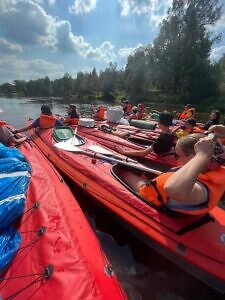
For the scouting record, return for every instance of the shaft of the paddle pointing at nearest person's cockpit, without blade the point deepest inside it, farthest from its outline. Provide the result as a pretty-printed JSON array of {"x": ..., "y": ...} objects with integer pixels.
[{"x": 117, "y": 161}]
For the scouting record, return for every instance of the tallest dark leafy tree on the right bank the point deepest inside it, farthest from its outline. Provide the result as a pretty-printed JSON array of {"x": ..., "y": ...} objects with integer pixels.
[{"x": 183, "y": 47}]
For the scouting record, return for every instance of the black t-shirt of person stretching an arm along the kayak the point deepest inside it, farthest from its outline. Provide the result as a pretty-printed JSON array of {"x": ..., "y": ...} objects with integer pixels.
[{"x": 163, "y": 144}]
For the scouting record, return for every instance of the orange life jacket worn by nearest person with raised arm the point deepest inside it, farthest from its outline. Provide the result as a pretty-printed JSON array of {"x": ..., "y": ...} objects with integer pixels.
[{"x": 214, "y": 181}]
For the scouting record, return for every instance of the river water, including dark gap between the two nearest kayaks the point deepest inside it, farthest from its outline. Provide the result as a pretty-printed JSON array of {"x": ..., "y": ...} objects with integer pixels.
[{"x": 143, "y": 273}]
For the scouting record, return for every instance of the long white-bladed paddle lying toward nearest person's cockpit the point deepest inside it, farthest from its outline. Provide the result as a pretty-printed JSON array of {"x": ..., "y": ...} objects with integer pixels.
[{"x": 71, "y": 148}]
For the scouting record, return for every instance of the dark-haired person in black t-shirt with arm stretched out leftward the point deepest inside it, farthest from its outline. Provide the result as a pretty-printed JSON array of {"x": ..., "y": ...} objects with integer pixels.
[{"x": 163, "y": 143}]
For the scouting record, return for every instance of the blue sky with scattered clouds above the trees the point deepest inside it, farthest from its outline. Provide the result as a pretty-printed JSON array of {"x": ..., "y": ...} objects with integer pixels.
[{"x": 41, "y": 38}]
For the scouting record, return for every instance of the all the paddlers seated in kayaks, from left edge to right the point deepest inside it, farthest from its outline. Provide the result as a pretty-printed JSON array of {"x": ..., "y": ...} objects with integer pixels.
[{"x": 194, "y": 186}]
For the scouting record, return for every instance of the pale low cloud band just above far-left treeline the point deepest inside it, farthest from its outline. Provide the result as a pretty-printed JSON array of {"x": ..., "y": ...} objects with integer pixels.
[{"x": 12, "y": 68}]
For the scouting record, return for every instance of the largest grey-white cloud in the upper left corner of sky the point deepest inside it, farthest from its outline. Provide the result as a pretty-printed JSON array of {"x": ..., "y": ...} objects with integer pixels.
[{"x": 28, "y": 24}]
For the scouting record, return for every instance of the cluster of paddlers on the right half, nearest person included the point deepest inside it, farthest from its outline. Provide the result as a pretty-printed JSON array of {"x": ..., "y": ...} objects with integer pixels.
[{"x": 197, "y": 185}]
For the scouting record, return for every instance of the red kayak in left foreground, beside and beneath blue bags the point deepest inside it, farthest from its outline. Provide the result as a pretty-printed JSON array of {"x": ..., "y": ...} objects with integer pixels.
[{"x": 60, "y": 256}]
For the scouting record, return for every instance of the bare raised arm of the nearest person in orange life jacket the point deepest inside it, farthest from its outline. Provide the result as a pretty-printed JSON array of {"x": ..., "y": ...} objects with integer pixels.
[{"x": 182, "y": 186}]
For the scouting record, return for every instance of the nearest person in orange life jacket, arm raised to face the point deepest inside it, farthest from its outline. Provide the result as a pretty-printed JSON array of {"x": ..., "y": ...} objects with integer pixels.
[{"x": 192, "y": 188}]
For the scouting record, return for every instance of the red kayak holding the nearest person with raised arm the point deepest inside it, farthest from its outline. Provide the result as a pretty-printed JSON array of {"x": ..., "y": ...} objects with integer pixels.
[{"x": 196, "y": 243}]
